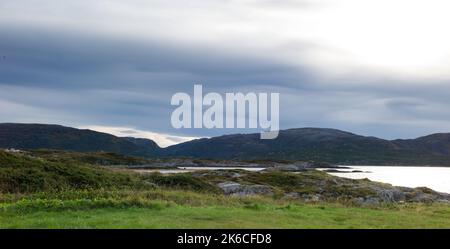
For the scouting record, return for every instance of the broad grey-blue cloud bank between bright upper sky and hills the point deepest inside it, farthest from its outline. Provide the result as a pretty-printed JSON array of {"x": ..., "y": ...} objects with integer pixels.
[{"x": 75, "y": 78}]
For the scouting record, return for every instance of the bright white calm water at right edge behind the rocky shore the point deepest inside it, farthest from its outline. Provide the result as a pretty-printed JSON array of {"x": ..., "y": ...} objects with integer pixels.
[{"x": 437, "y": 178}]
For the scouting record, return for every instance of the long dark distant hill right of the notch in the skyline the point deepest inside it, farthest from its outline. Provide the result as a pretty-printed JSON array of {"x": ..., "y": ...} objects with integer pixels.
[{"x": 317, "y": 144}]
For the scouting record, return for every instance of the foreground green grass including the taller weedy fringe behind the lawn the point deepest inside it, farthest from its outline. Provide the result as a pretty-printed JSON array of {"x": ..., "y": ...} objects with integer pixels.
[{"x": 179, "y": 209}]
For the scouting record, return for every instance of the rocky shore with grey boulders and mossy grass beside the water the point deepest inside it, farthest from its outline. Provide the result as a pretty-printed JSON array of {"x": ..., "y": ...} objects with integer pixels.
[{"x": 311, "y": 185}]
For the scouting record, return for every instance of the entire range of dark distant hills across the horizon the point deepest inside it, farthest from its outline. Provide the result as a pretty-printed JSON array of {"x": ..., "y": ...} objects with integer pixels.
[{"x": 306, "y": 144}]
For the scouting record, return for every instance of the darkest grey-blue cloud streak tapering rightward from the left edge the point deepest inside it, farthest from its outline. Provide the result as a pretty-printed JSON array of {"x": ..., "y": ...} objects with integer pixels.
[{"x": 58, "y": 58}]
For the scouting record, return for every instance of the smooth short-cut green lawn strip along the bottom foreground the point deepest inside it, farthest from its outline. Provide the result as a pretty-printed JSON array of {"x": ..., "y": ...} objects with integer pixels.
[{"x": 253, "y": 216}]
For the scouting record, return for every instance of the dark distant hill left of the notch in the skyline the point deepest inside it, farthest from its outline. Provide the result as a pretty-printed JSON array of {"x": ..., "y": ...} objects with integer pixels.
[{"x": 39, "y": 136}]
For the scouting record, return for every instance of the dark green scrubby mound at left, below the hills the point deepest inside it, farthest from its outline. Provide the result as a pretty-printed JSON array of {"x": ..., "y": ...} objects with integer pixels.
[{"x": 25, "y": 174}]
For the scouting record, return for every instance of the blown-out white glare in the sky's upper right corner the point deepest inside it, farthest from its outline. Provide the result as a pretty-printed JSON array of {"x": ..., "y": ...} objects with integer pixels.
[{"x": 407, "y": 38}]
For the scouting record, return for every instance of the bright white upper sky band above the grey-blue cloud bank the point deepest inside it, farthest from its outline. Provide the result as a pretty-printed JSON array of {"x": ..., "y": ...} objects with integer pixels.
[{"x": 396, "y": 38}]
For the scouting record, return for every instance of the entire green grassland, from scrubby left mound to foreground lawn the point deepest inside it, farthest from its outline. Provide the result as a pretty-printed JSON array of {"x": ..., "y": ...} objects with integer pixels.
[{"x": 65, "y": 193}]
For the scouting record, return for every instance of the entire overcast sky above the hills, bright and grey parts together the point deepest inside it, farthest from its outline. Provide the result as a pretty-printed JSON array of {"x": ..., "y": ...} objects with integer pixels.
[{"x": 379, "y": 68}]
